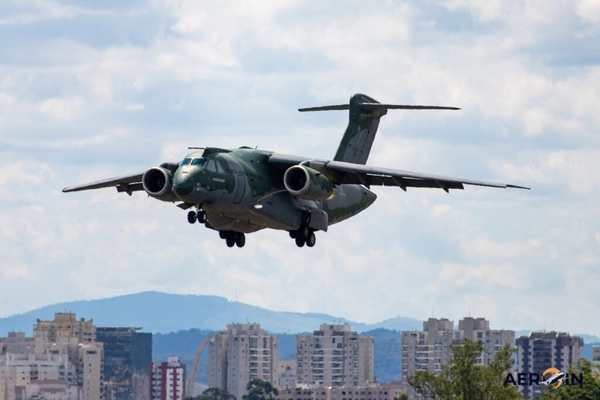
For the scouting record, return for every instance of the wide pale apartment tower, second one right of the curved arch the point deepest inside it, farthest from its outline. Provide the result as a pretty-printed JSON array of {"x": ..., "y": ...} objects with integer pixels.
[{"x": 334, "y": 356}]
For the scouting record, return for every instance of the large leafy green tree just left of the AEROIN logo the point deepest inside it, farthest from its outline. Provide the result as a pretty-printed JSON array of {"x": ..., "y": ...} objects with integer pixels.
[{"x": 463, "y": 379}]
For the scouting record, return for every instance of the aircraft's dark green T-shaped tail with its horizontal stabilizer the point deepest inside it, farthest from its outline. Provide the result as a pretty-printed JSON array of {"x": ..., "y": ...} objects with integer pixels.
[{"x": 363, "y": 122}]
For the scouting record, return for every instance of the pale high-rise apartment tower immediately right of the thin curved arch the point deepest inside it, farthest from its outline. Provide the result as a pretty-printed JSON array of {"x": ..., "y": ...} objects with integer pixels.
[{"x": 240, "y": 353}]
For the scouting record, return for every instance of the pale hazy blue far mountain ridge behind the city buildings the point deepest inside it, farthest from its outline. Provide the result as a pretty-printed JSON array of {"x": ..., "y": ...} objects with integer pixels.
[{"x": 157, "y": 312}]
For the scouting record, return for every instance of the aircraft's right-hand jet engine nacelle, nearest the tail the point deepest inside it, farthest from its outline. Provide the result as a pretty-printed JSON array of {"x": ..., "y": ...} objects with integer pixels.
[{"x": 307, "y": 183}]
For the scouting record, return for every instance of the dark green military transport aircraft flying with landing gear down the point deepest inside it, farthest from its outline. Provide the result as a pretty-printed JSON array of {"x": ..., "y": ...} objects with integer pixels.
[{"x": 243, "y": 190}]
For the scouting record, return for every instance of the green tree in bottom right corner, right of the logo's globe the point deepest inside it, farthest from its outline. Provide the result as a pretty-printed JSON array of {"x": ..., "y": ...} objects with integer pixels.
[{"x": 588, "y": 390}]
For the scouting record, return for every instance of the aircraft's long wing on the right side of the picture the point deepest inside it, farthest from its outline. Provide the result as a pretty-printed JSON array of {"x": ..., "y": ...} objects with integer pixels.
[{"x": 344, "y": 172}]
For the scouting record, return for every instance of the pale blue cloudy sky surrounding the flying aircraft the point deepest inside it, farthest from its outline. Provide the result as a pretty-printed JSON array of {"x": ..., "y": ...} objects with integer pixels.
[{"x": 92, "y": 90}]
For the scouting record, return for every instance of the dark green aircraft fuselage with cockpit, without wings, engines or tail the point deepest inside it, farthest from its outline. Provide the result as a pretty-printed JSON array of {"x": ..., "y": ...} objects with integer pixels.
[{"x": 240, "y": 191}]
